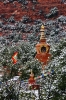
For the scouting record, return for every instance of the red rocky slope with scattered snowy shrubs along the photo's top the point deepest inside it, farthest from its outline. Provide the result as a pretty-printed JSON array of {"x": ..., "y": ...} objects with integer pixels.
[{"x": 35, "y": 9}]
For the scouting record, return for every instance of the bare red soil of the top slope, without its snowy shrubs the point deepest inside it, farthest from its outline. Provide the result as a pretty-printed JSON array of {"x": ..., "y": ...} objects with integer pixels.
[{"x": 18, "y": 11}]
